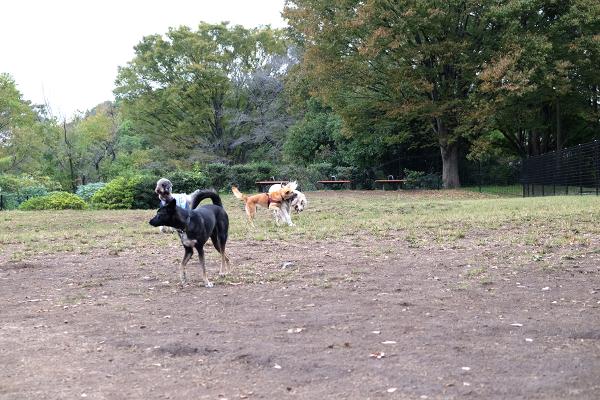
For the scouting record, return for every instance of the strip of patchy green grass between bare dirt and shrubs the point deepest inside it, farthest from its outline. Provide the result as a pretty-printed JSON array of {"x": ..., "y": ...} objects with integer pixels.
[{"x": 418, "y": 217}]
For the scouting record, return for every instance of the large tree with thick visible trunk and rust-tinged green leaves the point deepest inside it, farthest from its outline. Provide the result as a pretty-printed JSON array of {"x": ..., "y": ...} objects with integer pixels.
[{"x": 388, "y": 64}]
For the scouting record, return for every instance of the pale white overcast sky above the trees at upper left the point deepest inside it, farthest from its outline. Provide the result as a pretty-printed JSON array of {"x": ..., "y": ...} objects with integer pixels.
[{"x": 66, "y": 52}]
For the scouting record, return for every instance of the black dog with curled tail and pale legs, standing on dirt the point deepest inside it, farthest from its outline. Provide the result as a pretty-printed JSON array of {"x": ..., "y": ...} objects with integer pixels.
[{"x": 197, "y": 226}]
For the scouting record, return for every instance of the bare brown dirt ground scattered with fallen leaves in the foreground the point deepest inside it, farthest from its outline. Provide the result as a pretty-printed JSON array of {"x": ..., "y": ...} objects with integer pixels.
[{"x": 355, "y": 318}]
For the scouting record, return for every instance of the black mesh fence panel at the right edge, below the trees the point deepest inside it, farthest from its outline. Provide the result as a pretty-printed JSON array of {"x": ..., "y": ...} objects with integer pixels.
[{"x": 575, "y": 170}]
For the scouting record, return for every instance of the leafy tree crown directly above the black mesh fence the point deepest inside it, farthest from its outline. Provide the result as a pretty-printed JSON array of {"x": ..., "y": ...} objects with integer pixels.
[{"x": 540, "y": 84}]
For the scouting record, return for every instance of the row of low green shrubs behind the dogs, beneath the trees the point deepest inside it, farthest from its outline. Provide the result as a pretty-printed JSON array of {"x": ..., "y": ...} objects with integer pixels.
[{"x": 137, "y": 191}]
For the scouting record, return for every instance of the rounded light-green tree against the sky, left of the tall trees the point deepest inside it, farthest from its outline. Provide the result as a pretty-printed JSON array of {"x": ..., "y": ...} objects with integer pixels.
[{"x": 177, "y": 88}]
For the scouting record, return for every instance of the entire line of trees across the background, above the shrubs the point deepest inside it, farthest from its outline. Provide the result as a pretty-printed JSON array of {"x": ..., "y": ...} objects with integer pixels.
[{"x": 351, "y": 84}]
